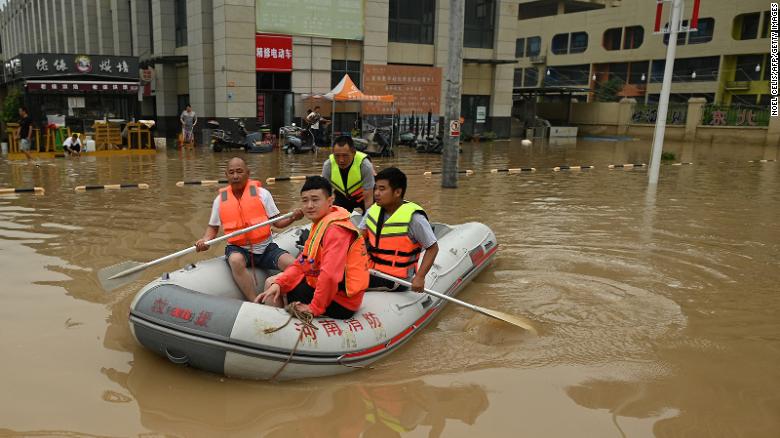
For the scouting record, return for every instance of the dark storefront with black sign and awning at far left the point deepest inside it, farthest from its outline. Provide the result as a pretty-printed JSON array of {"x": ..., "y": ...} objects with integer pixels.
[{"x": 76, "y": 89}]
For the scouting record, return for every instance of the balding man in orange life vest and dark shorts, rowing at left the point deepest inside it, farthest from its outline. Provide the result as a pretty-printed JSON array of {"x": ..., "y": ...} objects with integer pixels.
[{"x": 240, "y": 205}]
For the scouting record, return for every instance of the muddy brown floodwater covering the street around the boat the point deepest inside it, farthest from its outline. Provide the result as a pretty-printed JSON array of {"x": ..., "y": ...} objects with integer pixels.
[{"x": 657, "y": 309}]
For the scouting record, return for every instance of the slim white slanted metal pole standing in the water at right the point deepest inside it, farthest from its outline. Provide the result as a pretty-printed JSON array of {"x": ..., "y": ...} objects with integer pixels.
[{"x": 663, "y": 103}]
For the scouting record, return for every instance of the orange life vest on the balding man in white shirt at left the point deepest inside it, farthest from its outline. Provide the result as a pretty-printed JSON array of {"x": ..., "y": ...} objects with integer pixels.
[{"x": 236, "y": 214}]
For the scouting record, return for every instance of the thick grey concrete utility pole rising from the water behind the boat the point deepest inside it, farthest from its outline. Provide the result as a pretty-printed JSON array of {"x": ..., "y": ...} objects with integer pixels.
[{"x": 452, "y": 110}]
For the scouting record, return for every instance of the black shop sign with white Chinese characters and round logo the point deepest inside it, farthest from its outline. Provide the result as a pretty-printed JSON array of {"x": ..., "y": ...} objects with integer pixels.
[{"x": 59, "y": 64}]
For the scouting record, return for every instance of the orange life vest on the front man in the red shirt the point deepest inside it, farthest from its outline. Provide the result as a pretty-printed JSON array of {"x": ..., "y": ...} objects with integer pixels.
[{"x": 355, "y": 280}]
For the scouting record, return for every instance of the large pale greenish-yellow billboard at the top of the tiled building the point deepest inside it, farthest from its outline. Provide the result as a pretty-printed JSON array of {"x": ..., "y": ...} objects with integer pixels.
[{"x": 340, "y": 19}]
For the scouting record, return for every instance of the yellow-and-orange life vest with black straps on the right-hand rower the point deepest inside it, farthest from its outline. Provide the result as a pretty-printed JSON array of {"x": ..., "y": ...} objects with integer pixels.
[{"x": 391, "y": 250}]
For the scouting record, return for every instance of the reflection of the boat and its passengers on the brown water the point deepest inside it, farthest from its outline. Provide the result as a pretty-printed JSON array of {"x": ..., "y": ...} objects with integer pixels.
[{"x": 217, "y": 406}]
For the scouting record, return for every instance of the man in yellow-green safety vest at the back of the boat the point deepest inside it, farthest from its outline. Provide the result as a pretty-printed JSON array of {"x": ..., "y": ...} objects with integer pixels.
[{"x": 351, "y": 174}]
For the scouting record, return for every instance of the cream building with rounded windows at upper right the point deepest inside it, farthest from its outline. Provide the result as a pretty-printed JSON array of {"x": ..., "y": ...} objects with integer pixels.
[{"x": 585, "y": 44}]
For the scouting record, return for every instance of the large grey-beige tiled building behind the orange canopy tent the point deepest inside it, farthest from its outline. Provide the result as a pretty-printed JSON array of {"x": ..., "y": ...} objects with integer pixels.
[{"x": 205, "y": 52}]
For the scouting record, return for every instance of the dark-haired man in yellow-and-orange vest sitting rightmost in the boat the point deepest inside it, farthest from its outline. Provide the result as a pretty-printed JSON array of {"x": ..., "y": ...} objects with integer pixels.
[{"x": 397, "y": 231}]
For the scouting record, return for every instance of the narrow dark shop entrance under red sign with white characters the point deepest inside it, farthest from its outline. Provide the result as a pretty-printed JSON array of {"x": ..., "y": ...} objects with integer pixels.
[{"x": 273, "y": 61}]
